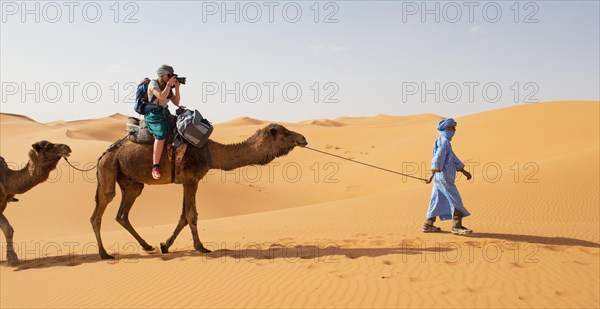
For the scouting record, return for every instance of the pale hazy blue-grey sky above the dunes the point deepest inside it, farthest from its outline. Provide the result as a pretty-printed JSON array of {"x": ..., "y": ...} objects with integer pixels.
[{"x": 298, "y": 60}]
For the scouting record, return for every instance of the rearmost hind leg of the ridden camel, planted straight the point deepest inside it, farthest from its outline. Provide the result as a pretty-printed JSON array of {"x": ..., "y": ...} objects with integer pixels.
[{"x": 105, "y": 193}]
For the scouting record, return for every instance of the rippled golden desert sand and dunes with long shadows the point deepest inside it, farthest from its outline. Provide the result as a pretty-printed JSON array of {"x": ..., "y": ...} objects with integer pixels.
[{"x": 310, "y": 230}]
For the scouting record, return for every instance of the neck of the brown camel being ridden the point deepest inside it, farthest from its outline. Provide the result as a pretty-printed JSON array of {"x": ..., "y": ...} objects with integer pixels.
[{"x": 229, "y": 157}]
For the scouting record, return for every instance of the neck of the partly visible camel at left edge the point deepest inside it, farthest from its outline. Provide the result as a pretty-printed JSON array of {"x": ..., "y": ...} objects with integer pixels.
[{"x": 26, "y": 178}]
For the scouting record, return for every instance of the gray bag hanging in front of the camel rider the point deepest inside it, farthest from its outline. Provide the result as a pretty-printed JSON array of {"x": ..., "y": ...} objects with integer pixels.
[{"x": 194, "y": 128}]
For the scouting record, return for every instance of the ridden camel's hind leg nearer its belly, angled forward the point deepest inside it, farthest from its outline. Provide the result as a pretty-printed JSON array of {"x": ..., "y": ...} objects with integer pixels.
[{"x": 130, "y": 191}]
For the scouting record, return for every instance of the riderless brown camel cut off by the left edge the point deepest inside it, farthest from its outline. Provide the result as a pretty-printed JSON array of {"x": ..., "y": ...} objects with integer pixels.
[{"x": 43, "y": 158}]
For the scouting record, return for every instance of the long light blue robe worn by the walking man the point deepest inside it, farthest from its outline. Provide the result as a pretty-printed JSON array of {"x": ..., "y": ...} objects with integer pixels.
[{"x": 444, "y": 195}]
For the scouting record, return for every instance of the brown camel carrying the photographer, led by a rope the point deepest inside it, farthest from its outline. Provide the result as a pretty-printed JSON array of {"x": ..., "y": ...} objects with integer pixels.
[{"x": 129, "y": 165}]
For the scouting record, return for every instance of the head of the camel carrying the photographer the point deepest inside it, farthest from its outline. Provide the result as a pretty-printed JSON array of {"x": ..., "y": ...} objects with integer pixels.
[{"x": 280, "y": 140}]
